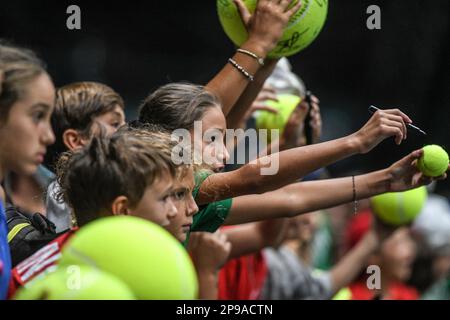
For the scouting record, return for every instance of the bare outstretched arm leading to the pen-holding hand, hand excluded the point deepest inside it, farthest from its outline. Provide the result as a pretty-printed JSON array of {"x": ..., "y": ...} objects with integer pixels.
[{"x": 261, "y": 175}]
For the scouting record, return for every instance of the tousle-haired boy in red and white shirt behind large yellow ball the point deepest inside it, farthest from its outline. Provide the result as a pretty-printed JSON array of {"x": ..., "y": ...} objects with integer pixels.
[{"x": 129, "y": 173}]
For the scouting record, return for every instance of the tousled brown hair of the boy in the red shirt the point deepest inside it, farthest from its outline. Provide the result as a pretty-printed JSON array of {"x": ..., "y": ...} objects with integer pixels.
[{"x": 124, "y": 164}]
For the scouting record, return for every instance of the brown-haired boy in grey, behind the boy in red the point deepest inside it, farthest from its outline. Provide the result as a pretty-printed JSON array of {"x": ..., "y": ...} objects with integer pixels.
[{"x": 82, "y": 110}]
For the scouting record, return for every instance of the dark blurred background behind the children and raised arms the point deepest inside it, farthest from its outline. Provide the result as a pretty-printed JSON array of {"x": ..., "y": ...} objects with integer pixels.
[{"x": 136, "y": 46}]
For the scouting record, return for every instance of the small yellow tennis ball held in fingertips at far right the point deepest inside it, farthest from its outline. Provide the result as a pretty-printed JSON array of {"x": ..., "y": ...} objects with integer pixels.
[{"x": 434, "y": 161}]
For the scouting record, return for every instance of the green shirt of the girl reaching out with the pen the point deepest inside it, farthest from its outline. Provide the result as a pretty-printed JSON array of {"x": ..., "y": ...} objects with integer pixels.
[{"x": 211, "y": 216}]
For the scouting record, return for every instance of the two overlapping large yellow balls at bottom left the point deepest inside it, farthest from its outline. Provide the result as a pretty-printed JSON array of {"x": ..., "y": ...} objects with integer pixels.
[{"x": 118, "y": 258}]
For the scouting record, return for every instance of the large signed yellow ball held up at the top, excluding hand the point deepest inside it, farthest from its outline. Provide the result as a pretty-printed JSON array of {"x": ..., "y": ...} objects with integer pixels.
[{"x": 302, "y": 29}]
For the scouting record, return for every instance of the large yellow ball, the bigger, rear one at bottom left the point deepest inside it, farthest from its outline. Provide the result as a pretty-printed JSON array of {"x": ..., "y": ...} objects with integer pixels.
[{"x": 149, "y": 260}]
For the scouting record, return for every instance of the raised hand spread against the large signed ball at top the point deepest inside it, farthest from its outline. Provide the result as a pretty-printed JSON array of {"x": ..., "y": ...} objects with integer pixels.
[{"x": 267, "y": 23}]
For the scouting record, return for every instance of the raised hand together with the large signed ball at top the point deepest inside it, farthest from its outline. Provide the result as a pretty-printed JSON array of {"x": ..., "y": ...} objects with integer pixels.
[{"x": 282, "y": 28}]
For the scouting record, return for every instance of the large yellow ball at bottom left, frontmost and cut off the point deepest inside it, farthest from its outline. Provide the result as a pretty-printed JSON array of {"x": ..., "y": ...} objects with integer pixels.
[{"x": 76, "y": 283}]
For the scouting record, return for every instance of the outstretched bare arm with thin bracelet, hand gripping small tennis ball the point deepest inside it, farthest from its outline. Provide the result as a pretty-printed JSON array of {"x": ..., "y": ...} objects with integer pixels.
[{"x": 310, "y": 196}]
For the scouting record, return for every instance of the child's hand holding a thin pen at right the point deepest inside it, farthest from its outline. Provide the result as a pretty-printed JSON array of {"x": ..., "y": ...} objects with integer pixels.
[{"x": 382, "y": 124}]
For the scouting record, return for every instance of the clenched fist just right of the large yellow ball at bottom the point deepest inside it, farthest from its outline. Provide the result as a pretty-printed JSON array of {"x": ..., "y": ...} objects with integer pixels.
[{"x": 209, "y": 251}]
